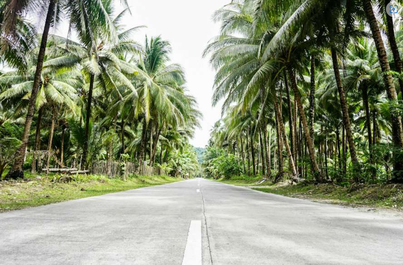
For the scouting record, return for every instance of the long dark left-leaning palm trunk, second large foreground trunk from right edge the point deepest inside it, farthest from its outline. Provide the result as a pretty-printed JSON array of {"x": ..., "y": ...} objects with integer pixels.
[{"x": 346, "y": 117}]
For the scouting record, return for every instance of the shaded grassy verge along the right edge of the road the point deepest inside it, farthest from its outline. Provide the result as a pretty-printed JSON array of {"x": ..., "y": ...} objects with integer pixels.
[{"x": 379, "y": 195}]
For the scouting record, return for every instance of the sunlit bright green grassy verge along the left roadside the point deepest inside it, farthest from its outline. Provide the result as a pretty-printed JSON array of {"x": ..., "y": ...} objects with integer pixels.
[{"x": 51, "y": 189}]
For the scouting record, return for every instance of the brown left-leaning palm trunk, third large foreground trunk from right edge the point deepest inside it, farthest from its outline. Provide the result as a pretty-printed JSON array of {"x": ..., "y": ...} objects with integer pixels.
[{"x": 315, "y": 168}]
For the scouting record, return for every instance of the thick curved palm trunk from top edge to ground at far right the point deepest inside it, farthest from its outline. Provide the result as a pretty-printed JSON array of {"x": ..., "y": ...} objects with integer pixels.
[{"x": 390, "y": 89}]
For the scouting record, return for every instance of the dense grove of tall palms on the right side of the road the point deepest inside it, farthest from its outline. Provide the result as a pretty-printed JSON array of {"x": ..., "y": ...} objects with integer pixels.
[{"x": 311, "y": 89}]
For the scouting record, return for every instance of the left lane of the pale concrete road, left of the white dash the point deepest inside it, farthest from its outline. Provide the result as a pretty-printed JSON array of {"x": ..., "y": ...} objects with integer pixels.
[{"x": 143, "y": 226}]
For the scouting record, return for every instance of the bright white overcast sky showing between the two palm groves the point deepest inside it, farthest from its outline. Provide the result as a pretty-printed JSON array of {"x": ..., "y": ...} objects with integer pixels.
[{"x": 188, "y": 26}]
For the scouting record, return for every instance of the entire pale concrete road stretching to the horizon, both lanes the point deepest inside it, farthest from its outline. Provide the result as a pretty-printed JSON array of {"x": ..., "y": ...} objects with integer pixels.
[{"x": 151, "y": 226}]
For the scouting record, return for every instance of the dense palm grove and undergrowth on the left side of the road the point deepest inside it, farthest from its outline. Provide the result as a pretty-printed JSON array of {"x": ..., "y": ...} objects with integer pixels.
[{"x": 96, "y": 94}]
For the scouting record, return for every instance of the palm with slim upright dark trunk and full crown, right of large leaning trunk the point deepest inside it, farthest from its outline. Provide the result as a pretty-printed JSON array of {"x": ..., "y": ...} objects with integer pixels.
[{"x": 104, "y": 66}]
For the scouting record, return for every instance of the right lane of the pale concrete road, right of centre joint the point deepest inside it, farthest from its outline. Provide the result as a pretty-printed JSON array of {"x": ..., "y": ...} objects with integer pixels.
[{"x": 250, "y": 227}]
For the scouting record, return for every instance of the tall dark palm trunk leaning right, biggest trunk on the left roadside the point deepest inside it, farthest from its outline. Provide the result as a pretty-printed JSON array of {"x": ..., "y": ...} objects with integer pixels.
[{"x": 16, "y": 171}]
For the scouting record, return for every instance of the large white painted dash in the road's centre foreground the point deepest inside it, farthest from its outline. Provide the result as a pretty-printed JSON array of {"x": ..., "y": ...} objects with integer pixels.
[{"x": 193, "y": 251}]
